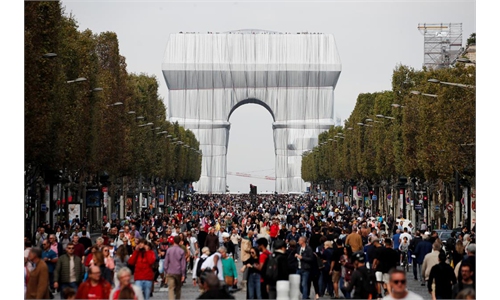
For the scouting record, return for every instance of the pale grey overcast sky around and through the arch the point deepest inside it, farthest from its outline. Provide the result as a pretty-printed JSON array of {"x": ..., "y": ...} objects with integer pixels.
[{"x": 372, "y": 38}]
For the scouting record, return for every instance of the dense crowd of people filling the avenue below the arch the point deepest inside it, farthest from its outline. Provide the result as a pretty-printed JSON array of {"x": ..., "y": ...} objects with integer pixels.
[{"x": 342, "y": 251}]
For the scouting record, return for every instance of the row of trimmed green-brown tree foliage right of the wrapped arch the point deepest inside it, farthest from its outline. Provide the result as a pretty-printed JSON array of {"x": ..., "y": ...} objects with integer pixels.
[{"x": 425, "y": 137}]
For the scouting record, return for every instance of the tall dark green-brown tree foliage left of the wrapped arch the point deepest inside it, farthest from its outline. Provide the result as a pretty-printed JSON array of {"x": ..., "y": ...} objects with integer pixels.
[{"x": 85, "y": 127}]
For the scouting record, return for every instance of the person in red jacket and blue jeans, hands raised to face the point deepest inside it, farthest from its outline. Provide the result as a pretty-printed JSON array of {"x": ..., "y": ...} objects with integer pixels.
[{"x": 143, "y": 259}]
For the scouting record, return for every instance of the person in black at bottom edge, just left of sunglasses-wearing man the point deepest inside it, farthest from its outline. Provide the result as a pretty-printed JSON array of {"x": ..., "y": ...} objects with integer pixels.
[{"x": 363, "y": 280}]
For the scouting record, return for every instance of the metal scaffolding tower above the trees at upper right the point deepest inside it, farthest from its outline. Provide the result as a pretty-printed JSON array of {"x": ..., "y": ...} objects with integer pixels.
[{"x": 442, "y": 44}]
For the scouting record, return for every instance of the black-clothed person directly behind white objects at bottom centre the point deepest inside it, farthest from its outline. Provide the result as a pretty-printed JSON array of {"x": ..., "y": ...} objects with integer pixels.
[{"x": 277, "y": 267}]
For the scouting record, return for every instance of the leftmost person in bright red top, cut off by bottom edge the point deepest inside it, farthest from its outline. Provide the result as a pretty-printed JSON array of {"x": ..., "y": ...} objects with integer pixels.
[{"x": 94, "y": 288}]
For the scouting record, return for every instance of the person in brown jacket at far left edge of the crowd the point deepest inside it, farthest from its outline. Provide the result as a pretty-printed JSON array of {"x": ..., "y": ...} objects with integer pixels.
[{"x": 38, "y": 282}]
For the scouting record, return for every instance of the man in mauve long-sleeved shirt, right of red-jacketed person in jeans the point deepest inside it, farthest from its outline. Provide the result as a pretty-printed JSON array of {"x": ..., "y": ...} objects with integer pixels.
[{"x": 175, "y": 268}]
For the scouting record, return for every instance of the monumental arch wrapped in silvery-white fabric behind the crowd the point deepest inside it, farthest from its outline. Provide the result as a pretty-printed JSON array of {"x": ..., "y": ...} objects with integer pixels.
[{"x": 293, "y": 76}]
